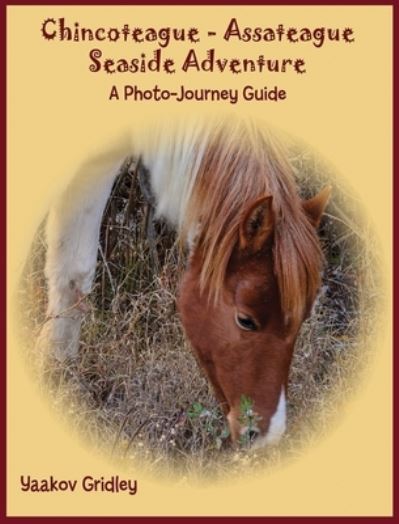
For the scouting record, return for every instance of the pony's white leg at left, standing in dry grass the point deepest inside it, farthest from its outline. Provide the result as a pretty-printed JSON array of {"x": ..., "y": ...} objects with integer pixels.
[{"x": 72, "y": 234}]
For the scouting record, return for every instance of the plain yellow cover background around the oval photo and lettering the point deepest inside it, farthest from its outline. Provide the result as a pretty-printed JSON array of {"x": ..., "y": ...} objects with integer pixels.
[{"x": 58, "y": 114}]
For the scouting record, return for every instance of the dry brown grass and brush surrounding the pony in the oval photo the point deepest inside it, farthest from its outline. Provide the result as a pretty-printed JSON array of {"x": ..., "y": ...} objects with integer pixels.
[{"x": 136, "y": 388}]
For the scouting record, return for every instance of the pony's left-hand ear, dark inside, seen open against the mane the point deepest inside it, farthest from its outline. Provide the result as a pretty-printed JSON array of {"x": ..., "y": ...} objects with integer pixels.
[{"x": 257, "y": 224}]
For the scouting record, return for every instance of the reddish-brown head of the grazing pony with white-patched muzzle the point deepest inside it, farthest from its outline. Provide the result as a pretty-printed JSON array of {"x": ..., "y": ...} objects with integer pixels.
[{"x": 244, "y": 339}]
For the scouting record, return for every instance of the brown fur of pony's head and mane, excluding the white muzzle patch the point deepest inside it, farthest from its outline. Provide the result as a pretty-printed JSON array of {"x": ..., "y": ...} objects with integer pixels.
[{"x": 257, "y": 255}]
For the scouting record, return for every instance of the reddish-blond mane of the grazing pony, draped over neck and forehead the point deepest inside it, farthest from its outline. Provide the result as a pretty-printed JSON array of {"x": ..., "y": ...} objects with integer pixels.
[{"x": 233, "y": 163}]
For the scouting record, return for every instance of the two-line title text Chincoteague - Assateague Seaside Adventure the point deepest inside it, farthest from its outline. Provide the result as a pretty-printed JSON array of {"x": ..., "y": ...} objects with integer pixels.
[{"x": 152, "y": 50}]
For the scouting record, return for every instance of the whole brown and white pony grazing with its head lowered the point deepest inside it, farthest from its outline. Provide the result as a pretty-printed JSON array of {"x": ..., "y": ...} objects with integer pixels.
[{"x": 254, "y": 262}]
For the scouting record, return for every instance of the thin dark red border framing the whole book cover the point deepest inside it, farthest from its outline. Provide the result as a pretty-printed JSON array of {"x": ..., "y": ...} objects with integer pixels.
[{"x": 3, "y": 237}]
